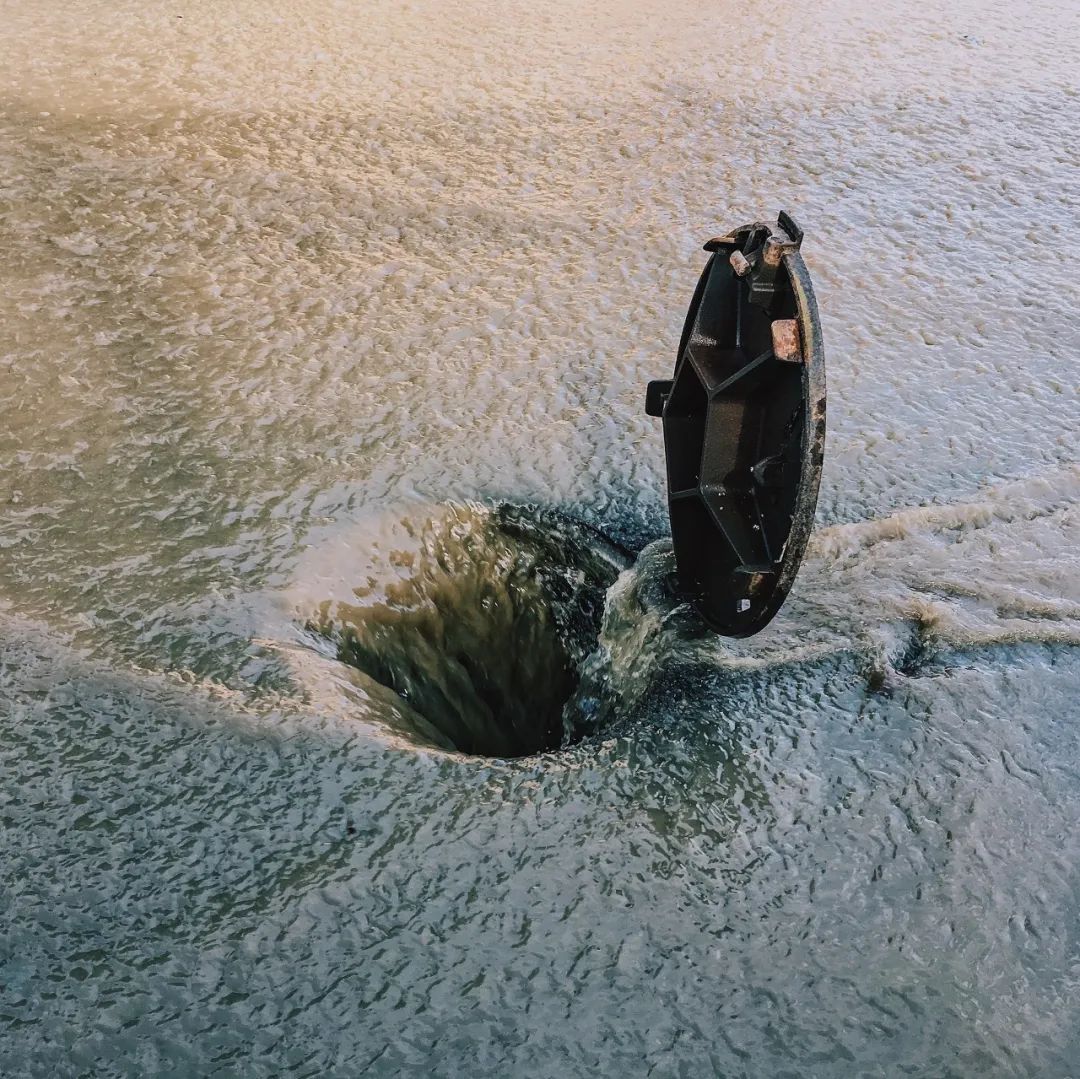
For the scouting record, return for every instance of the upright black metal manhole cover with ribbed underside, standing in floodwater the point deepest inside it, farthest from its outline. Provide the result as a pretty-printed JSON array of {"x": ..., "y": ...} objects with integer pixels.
[{"x": 745, "y": 428}]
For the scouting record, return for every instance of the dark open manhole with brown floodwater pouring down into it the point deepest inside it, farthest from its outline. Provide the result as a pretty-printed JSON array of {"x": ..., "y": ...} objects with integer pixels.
[{"x": 488, "y": 637}]
